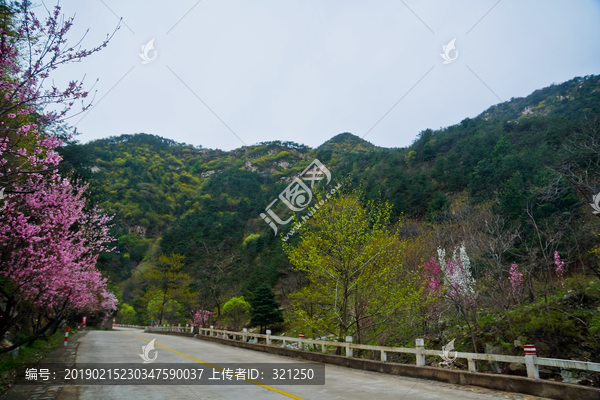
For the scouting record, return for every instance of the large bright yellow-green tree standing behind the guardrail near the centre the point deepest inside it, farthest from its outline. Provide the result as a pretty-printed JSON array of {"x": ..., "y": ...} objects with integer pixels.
[{"x": 351, "y": 255}]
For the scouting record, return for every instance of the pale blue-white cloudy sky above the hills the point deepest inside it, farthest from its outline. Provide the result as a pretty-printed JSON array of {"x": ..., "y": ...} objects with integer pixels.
[{"x": 224, "y": 74}]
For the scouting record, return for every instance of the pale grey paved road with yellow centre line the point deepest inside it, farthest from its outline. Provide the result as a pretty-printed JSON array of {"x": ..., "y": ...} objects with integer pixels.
[{"x": 124, "y": 345}]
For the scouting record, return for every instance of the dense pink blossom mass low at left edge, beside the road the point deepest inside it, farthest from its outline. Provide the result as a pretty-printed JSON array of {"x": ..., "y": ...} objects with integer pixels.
[{"x": 49, "y": 245}]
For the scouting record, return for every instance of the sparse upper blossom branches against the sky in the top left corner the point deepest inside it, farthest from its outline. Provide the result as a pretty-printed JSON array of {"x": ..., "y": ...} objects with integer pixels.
[{"x": 29, "y": 51}]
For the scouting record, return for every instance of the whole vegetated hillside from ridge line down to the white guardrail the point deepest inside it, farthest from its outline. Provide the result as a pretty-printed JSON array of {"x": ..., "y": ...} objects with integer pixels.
[{"x": 509, "y": 189}]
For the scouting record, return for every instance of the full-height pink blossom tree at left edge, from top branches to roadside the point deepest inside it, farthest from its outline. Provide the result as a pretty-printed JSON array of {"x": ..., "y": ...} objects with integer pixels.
[{"x": 49, "y": 242}]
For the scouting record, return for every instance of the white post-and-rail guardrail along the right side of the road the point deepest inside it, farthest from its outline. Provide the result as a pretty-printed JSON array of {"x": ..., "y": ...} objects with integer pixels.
[{"x": 531, "y": 360}]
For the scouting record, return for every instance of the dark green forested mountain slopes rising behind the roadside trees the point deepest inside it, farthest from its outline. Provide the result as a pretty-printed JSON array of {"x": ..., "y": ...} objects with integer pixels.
[{"x": 205, "y": 204}]
